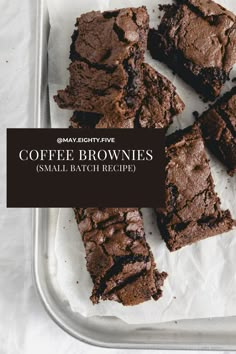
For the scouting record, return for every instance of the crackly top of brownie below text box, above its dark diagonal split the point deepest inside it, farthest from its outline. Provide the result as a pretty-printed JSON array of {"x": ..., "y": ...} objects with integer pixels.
[{"x": 109, "y": 233}]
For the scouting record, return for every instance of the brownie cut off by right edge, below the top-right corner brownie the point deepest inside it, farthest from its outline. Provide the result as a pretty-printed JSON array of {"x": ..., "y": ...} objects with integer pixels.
[{"x": 218, "y": 125}]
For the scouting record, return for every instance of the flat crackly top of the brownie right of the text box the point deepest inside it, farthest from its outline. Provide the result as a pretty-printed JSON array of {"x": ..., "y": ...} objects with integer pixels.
[{"x": 190, "y": 185}]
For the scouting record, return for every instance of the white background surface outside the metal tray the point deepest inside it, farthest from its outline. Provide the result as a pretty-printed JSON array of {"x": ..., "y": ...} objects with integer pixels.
[{"x": 24, "y": 326}]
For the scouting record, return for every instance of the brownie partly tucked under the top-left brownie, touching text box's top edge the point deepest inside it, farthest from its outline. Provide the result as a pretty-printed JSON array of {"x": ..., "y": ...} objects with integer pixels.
[{"x": 157, "y": 109}]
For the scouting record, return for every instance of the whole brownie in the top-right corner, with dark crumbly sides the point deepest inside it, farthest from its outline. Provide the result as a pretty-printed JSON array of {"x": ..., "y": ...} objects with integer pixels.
[{"x": 197, "y": 39}]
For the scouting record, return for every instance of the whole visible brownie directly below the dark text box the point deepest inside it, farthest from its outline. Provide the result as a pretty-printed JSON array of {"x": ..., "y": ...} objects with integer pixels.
[{"x": 118, "y": 257}]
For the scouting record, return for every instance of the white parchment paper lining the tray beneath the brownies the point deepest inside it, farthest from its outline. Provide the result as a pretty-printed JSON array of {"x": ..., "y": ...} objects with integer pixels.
[{"x": 202, "y": 277}]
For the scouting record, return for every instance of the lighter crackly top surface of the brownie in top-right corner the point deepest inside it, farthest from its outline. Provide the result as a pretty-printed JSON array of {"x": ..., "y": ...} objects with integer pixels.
[{"x": 203, "y": 31}]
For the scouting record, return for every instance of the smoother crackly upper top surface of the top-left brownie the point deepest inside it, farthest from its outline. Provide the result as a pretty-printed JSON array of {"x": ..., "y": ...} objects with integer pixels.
[{"x": 107, "y": 38}]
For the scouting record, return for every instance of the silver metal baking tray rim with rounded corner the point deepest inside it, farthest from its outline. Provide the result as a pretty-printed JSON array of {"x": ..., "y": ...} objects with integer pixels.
[{"x": 209, "y": 334}]
